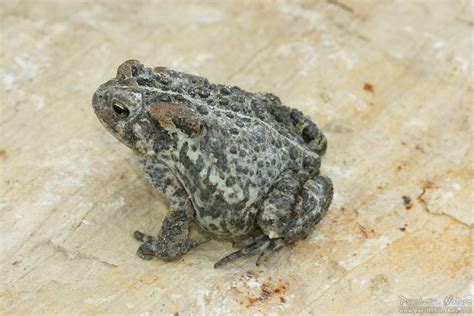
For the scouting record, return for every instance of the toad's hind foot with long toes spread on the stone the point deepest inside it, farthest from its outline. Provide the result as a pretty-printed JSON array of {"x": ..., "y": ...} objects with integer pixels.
[{"x": 261, "y": 245}]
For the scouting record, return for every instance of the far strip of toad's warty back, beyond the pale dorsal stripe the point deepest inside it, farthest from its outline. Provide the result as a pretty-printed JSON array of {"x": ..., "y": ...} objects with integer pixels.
[{"x": 290, "y": 123}]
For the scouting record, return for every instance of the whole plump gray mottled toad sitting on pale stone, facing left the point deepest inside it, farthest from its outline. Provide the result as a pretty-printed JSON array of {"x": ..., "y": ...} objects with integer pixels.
[{"x": 241, "y": 165}]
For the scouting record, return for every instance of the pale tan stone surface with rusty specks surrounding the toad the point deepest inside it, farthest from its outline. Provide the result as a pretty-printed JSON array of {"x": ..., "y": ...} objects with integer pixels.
[{"x": 390, "y": 83}]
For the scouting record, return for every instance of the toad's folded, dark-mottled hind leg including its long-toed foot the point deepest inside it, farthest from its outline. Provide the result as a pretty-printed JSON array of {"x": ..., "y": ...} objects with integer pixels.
[{"x": 295, "y": 204}]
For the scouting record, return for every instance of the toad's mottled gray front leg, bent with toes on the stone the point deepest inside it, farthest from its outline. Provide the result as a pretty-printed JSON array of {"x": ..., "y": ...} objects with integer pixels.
[{"x": 173, "y": 239}]
